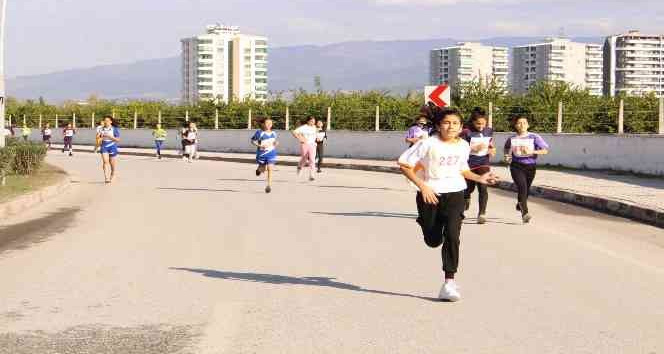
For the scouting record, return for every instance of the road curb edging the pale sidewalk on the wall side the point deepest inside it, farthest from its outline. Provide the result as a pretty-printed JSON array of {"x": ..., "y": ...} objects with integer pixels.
[{"x": 608, "y": 206}]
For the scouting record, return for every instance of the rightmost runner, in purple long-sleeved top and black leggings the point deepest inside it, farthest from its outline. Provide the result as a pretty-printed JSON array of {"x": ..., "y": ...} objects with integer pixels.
[{"x": 521, "y": 151}]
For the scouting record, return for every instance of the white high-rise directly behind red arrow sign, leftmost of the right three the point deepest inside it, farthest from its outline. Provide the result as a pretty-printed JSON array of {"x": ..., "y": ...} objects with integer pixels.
[{"x": 468, "y": 62}]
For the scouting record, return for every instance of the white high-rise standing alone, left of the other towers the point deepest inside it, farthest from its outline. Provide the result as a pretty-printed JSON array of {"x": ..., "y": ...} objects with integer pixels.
[{"x": 224, "y": 65}]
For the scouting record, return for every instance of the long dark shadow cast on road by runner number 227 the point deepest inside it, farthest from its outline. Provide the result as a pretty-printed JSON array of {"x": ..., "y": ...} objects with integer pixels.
[{"x": 288, "y": 280}]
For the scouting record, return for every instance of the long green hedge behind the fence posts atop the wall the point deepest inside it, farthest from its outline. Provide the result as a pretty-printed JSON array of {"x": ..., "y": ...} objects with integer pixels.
[{"x": 582, "y": 112}]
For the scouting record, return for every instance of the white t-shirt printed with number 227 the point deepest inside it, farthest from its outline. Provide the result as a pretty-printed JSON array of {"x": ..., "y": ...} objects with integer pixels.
[{"x": 442, "y": 163}]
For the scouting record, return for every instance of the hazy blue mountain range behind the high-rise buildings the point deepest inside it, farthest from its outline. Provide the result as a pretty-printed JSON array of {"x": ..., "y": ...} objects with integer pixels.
[{"x": 397, "y": 66}]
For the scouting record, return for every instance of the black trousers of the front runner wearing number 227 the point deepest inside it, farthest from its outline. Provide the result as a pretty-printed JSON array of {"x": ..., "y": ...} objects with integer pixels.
[{"x": 441, "y": 224}]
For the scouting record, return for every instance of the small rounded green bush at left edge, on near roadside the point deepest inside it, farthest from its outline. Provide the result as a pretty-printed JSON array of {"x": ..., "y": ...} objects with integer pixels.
[{"x": 21, "y": 158}]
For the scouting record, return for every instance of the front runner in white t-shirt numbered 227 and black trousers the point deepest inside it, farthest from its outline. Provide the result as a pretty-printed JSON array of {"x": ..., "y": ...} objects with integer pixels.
[{"x": 440, "y": 201}]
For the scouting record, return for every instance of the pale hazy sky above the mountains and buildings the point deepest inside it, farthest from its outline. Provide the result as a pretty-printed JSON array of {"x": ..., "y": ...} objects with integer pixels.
[{"x": 45, "y": 36}]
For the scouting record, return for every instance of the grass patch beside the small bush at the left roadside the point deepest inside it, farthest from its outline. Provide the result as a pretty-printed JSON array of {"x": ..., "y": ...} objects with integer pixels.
[{"x": 17, "y": 185}]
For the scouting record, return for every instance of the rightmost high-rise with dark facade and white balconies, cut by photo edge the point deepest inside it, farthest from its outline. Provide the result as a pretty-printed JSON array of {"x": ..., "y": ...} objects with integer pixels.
[{"x": 634, "y": 64}]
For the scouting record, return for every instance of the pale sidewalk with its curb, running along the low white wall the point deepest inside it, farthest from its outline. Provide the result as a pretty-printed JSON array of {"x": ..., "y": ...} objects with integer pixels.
[{"x": 621, "y": 194}]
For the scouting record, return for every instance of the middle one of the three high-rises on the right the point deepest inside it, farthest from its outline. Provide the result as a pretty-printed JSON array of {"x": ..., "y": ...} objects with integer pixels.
[{"x": 557, "y": 59}]
